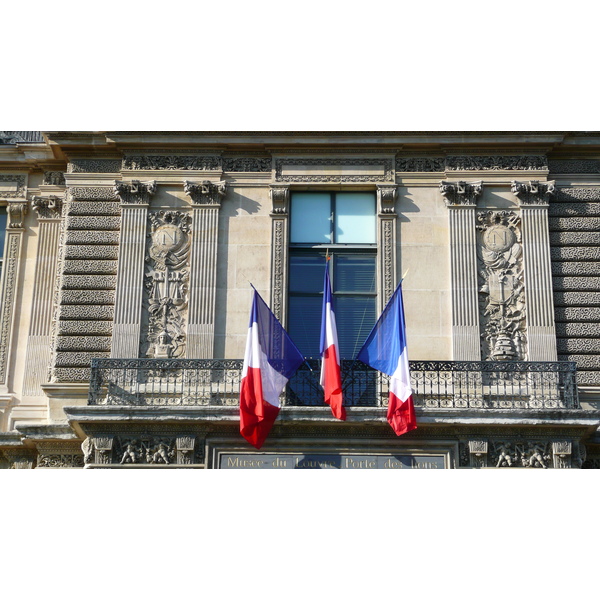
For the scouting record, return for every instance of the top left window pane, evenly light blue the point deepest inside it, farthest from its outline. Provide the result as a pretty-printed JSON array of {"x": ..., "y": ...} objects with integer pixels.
[{"x": 310, "y": 219}]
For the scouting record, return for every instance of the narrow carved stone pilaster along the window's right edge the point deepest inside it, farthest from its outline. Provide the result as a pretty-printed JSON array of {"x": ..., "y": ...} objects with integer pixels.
[{"x": 386, "y": 225}]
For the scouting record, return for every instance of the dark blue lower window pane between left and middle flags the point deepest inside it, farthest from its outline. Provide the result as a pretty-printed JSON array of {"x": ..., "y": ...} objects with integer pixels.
[{"x": 304, "y": 323}]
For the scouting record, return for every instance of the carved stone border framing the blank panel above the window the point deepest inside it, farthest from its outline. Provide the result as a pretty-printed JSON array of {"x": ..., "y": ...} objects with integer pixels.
[{"x": 385, "y": 163}]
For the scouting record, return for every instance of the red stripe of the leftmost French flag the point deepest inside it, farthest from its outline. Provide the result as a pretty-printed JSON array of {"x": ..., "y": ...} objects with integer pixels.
[{"x": 256, "y": 415}]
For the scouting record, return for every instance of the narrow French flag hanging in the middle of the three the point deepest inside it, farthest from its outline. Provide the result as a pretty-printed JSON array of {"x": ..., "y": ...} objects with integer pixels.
[{"x": 331, "y": 379}]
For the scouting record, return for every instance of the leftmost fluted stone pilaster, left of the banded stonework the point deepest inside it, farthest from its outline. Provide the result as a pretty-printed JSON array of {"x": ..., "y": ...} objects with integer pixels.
[{"x": 39, "y": 352}]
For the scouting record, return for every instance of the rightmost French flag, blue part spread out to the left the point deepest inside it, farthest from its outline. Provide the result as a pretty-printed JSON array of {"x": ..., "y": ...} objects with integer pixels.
[{"x": 385, "y": 350}]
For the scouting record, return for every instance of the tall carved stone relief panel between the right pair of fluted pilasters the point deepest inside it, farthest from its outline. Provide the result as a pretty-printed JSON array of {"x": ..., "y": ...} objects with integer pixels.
[{"x": 502, "y": 292}]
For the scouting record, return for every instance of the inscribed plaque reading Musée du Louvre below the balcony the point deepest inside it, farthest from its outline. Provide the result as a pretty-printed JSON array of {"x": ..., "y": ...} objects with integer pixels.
[{"x": 282, "y": 460}]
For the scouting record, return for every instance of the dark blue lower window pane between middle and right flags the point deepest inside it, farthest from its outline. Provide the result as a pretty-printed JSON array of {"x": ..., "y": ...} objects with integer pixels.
[{"x": 355, "y": 317}]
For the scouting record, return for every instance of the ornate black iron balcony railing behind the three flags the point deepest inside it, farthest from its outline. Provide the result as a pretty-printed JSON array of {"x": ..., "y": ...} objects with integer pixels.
[{"x": 435, "y": 384}]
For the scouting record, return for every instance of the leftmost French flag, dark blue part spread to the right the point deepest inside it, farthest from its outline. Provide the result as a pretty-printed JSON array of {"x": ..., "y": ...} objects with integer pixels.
[{"x": 270, "y": 360}]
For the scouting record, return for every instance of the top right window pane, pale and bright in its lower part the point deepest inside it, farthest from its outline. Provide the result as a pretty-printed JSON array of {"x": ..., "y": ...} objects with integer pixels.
[{"x": 355, "y": 219}]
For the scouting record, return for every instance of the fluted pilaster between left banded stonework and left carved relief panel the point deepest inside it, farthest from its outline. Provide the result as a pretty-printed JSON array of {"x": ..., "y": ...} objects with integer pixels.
[{"x": 135, "y": 198}]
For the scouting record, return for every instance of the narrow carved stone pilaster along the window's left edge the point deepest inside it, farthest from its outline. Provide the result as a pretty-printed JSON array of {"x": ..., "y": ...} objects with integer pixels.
[{"x": 280, "y": 238}]
